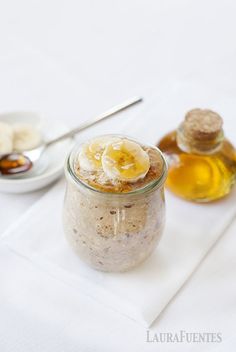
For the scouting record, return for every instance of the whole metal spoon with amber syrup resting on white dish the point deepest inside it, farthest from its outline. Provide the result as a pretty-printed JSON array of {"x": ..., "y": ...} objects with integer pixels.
[{"x": 21, "y": 163}]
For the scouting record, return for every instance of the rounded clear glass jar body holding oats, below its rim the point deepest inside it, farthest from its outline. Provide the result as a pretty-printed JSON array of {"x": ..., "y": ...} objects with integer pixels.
[{"x": 113, "y": 231}]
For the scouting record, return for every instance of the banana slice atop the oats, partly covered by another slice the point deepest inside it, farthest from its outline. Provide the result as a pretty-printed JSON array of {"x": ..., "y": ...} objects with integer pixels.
[{"x": 91, "y": 153}]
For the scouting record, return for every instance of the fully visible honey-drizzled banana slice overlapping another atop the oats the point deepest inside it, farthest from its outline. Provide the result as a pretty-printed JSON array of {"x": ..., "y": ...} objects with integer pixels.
[{"x": 125, "y": 160}]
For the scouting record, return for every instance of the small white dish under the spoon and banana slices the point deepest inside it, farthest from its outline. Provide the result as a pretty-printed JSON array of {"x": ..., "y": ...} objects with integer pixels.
[{"x": 50, "y": 166}]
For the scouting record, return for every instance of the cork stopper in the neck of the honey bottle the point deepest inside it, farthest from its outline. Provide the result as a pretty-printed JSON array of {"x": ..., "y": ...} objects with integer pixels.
[{"x": 202, "y": 125}]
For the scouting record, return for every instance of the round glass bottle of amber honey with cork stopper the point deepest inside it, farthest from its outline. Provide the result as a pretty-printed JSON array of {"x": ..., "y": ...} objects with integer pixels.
[{"x": 202, "y": 162}]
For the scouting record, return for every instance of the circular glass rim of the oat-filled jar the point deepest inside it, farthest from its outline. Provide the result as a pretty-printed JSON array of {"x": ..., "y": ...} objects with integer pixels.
[{"x": 156, "y": 183}]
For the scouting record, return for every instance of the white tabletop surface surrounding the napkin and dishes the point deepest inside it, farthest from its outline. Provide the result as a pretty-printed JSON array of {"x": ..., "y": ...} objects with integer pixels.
[{"x": 105, "y": 52}]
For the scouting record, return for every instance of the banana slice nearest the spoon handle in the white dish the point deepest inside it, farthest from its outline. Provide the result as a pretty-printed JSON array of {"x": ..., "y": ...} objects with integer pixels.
[{"x": 25, "y": 137}]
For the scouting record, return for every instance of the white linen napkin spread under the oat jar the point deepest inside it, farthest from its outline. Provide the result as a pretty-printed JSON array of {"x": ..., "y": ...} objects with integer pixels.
[{"x": 140, "y": 294}]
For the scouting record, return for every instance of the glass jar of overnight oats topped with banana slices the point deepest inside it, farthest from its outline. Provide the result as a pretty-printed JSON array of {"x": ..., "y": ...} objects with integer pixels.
[{"x": 114, "y": 208}]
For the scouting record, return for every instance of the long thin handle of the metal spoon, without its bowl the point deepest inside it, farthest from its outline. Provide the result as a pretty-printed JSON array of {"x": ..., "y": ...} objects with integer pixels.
[{"x": 97, "y": 119}]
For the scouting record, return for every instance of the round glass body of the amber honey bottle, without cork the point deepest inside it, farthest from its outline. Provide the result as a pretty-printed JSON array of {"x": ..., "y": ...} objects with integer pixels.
[{"x": 199, "y": 176}]
